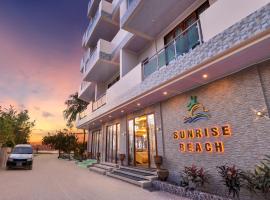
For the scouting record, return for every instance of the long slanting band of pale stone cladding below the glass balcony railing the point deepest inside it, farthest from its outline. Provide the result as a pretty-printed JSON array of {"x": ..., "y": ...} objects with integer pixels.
[{"x": 248, "y": 27}]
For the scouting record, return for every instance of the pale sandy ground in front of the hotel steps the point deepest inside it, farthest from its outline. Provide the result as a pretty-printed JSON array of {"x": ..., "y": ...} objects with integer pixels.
[{"x": 53, "y": 179}]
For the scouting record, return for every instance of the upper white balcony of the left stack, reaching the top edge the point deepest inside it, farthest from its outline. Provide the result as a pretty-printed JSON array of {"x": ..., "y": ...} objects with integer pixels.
[{"x": 102, "y": 25}]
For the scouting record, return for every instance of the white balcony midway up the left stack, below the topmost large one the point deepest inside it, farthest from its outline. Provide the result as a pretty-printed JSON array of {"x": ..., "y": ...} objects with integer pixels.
[{"x": 99, "y": 66}]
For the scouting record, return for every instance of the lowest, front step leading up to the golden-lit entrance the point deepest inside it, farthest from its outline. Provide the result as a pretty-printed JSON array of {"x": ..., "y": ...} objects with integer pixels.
[{"x": 144, "y": 183}]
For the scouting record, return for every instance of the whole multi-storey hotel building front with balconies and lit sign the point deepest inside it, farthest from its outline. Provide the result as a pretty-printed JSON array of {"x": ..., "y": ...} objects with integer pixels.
[{"x": 188, "y": 80}]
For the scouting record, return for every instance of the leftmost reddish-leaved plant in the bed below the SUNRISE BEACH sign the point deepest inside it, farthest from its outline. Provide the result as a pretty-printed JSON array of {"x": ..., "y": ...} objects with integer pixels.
[{"x": 193, "y": 178}]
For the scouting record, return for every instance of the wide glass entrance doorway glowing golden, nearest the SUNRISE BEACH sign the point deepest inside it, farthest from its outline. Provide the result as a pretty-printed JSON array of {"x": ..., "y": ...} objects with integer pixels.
[{"x": 141, "y": 141}]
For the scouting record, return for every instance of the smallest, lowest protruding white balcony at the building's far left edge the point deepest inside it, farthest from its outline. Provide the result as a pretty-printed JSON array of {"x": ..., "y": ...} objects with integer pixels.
[{"x": 86, "y": 91}]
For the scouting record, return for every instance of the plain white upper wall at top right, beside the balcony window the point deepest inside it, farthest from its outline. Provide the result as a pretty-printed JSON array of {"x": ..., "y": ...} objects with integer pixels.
[{"x": 229, "y": 13}]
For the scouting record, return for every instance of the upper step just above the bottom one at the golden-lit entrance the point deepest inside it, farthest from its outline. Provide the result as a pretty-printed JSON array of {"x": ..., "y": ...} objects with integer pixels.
[{"x": 140, "y": 174}]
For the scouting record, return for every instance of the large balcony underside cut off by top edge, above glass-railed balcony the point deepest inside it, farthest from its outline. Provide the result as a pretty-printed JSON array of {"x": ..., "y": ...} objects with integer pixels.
[{"x": 148, "y": 18}]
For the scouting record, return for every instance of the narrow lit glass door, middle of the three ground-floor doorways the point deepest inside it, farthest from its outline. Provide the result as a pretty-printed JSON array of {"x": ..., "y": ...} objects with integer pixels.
[{"x": 112, "y": 143}]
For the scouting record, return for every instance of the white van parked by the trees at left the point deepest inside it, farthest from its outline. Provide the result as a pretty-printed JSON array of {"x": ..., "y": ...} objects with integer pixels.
[{"x": 21, "y": 157}]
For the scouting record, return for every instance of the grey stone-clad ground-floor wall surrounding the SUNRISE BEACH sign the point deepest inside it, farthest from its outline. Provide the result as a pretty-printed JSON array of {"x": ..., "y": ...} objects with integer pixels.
[{"x": 232, "y": 100}]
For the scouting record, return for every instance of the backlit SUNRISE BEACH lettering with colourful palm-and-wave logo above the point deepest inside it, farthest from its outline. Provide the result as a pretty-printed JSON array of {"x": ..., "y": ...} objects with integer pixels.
[{"x": 190, "y": 140}]
